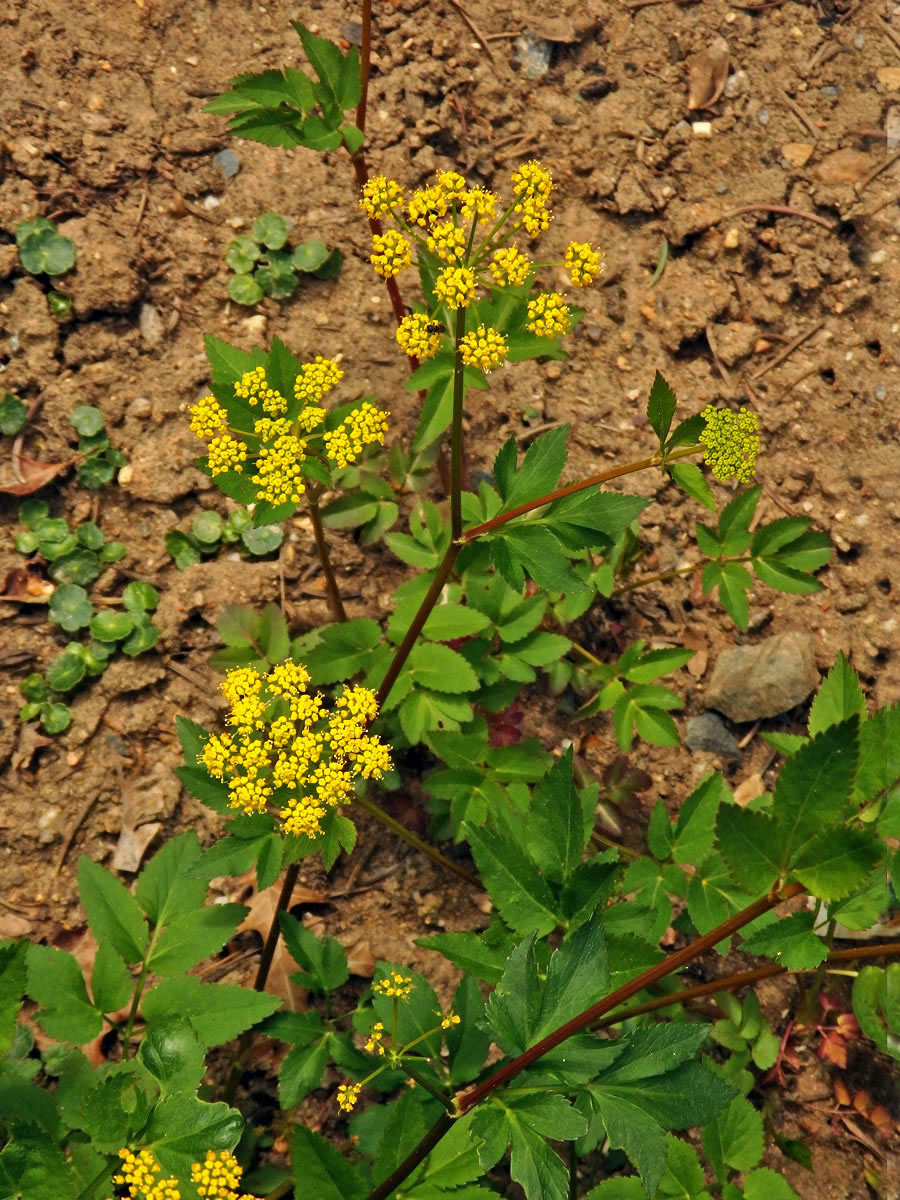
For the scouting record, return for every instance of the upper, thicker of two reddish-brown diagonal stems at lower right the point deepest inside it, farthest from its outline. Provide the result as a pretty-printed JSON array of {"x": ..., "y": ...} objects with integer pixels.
[{"x": 674, "y": 963}]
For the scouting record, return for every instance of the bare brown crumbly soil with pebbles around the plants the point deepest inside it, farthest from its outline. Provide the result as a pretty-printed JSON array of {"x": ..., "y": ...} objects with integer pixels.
[{"x": 104, "y": 130}]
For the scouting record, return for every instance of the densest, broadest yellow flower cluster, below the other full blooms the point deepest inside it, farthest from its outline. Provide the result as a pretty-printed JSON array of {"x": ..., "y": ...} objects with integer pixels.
[{"x": 285, "y": 740}]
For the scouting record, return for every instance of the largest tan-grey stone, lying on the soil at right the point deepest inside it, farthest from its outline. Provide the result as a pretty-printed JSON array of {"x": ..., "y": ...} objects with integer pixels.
[{"x": 752, "y": 682}]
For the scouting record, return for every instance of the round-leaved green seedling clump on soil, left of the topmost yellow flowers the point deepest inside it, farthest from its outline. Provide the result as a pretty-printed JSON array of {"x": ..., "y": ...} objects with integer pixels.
[{"x": 266, "y": 266}]
